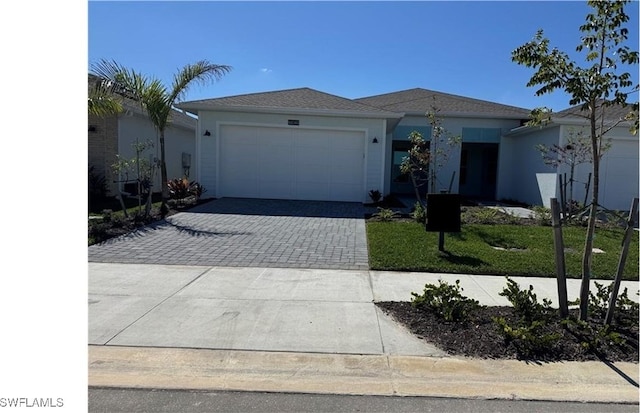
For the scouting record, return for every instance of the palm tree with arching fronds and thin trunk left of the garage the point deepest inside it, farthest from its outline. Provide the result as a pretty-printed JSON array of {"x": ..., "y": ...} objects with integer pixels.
[{"x": 154, "y": 98}]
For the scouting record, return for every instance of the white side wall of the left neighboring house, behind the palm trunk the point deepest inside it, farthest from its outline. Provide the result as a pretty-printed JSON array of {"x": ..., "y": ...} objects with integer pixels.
[{"x": 177, "y": 140}]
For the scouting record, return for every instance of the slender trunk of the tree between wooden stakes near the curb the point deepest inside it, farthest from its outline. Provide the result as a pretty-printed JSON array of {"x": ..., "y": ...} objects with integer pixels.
[{"x": 591, "y": 225}]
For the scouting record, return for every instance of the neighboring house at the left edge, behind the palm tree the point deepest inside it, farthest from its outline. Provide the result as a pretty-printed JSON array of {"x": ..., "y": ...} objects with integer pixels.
[{"x": 112, "y": 135}]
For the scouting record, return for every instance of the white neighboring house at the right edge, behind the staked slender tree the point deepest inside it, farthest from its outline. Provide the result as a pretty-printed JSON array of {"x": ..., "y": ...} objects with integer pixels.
[{"x": 619, "y": 182}]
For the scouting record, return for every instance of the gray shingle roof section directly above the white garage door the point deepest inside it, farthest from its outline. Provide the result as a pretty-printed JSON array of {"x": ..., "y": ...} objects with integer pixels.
[{"x": 302, "y": 98}]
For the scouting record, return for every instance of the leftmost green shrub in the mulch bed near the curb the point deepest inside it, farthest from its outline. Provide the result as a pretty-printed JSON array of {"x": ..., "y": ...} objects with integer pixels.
[{"x": 445, "y": 300}]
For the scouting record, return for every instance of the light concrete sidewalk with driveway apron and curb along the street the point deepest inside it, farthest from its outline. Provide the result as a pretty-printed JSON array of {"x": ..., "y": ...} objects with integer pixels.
[{"x": 271, "y": 329}]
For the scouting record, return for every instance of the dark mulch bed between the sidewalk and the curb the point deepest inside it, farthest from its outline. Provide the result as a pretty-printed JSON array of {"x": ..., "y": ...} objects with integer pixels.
[{"x": 479, "y": 338}]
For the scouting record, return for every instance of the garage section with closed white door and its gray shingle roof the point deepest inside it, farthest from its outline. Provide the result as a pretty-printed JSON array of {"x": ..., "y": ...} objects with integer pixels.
[{"x": 298, "y": 144}]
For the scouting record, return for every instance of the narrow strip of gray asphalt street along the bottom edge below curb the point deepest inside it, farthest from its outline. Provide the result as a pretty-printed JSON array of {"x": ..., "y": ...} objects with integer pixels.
[{"x": 158, "y": 401}]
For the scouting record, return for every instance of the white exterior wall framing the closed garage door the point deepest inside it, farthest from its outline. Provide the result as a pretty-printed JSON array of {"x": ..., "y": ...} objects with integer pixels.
[{"x": 207, "y": 146}]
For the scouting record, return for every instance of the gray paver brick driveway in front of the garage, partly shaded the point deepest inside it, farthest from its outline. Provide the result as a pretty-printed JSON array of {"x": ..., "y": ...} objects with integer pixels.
[{"x": 248, "y": 232}]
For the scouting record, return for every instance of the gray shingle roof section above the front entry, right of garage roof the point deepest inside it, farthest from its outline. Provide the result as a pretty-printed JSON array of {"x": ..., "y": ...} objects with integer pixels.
[{"x": 420, "y": 100}]
